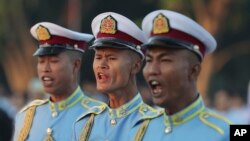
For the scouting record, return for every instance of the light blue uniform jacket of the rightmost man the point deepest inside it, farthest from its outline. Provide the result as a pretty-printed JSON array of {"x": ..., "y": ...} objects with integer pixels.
[{"x": 194, "y": 123}]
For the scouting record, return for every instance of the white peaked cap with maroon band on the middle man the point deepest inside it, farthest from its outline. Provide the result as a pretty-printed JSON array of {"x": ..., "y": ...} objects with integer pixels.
[{"x": 114, "y": 30}]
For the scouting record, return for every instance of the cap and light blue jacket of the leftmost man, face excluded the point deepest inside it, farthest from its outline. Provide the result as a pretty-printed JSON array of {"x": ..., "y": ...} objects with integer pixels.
[{"x": 44, "y": 120}]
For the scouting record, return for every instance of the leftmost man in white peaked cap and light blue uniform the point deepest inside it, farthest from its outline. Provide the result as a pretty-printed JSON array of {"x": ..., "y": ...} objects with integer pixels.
[{"x": 59, "y": 61}]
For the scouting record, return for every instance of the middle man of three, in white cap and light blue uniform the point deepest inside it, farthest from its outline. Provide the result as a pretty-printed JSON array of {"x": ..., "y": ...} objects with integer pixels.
[{"x": 117, "y": 60}]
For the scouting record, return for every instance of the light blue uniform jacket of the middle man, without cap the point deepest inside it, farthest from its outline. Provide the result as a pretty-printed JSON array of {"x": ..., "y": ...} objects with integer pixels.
[{"x": 101, "y": 123}]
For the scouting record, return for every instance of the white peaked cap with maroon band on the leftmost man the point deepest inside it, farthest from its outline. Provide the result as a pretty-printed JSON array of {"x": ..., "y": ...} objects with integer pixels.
[{"x": 53, "y": 39}]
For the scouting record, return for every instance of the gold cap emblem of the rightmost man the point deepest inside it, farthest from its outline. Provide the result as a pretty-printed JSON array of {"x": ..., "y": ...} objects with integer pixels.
[{"x": 160, "y": 24}]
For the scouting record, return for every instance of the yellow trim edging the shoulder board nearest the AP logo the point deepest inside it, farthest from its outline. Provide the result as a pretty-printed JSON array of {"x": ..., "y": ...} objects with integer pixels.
[{"x": 206, "y": 116}]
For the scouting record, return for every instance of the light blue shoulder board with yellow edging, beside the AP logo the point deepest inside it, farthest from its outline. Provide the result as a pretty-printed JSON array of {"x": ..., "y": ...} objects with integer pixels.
[{"x": 215, "y": 121}]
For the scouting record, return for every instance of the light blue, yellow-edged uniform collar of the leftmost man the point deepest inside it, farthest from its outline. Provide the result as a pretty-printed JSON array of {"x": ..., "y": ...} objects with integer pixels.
[{"x": 67, "y": 103}]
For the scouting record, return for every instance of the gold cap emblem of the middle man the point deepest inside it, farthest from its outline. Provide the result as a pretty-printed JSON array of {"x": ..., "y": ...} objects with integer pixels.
[{"x": 108, "y": 25}]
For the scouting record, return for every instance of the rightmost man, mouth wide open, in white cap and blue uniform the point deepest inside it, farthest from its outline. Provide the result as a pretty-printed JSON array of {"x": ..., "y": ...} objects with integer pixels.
[{"x": 174, "y": 53}]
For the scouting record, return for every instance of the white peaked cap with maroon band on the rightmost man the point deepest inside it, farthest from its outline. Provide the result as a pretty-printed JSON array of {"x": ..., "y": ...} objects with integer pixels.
[{"x": 176, "y": 28}]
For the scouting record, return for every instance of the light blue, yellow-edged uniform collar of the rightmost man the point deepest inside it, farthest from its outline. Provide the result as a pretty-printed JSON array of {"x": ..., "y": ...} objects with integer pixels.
[{"x": 186, "y": 114}]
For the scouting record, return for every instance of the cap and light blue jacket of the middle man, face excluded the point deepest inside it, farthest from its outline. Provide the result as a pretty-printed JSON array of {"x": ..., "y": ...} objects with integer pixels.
[{"x": 101, "y": 122}]
